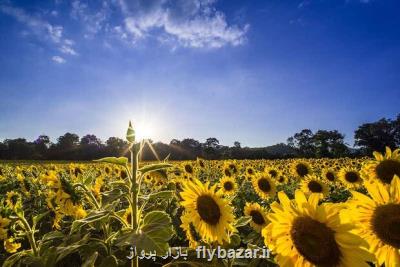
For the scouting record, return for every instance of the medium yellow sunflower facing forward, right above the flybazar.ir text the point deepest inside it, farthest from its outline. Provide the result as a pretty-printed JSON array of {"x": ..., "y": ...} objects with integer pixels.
[{"x": 210, "y": 214}]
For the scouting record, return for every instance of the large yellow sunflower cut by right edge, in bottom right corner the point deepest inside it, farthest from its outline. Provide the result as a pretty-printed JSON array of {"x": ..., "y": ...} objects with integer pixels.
[{"x": 378, "y": 220}]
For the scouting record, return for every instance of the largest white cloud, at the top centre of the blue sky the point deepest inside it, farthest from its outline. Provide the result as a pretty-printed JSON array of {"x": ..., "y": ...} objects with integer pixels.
[{"x": 190, "y": 23}]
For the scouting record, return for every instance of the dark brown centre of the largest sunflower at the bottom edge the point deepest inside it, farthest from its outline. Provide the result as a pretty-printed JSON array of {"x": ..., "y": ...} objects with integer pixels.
[{"x": 315, "y": 242}]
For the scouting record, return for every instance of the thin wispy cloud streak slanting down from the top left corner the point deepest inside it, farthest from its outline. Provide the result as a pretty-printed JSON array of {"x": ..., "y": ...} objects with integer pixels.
[{"x": 41, "y": 28}]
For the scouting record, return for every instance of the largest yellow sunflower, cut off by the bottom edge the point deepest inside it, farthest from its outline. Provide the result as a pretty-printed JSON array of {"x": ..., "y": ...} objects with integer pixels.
[{"x": 303, "y": 233}]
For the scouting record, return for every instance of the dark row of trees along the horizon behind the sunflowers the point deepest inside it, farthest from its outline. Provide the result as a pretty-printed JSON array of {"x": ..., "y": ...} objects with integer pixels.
[{"x": 369, "y": 137}]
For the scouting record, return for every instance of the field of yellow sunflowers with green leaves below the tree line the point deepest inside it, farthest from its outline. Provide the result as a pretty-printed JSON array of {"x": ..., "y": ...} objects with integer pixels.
[{"x": 121, "y": 212}]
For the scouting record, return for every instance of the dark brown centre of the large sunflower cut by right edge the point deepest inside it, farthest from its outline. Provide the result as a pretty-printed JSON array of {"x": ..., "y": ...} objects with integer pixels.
[{"x": 386, "y": 224}]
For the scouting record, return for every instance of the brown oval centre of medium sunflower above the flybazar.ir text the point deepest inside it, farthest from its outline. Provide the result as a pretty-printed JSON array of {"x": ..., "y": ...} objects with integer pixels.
[{"x": 208, "y": 210}]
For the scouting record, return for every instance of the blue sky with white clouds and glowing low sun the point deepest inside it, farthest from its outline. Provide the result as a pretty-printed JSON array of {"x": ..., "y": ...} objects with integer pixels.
[{"x": 252, "y": 71}]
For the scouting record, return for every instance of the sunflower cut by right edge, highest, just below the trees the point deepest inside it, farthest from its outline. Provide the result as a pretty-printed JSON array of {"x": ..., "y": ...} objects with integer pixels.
[{"x": 383, "y": 168}]
